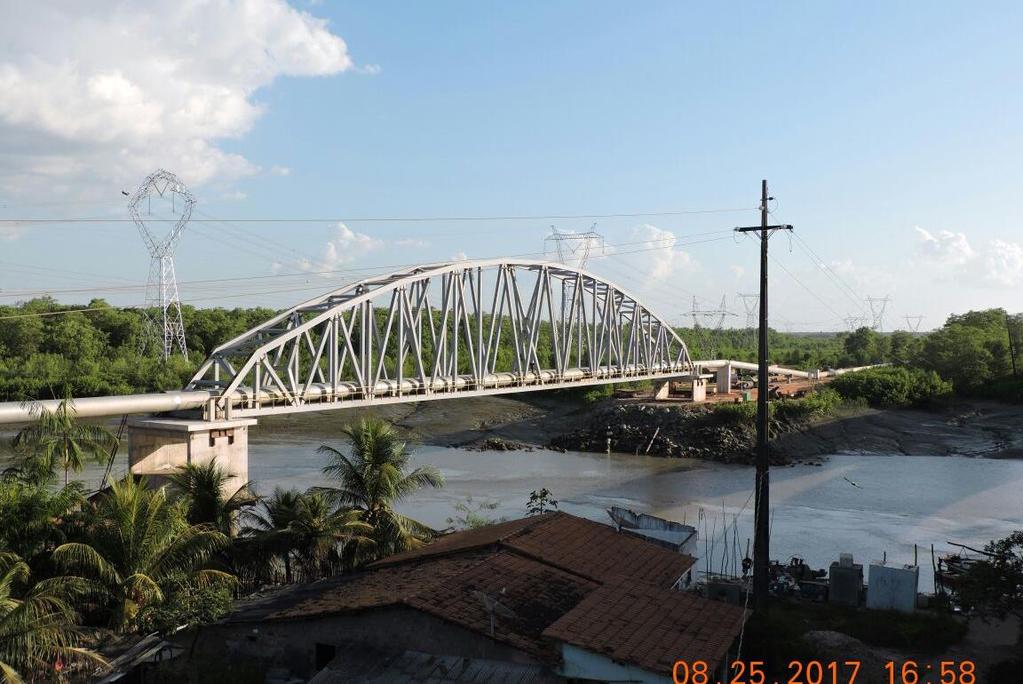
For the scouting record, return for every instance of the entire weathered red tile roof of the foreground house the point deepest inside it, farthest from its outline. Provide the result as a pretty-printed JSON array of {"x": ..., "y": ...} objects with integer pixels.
[{"x": 556, "y": 577}]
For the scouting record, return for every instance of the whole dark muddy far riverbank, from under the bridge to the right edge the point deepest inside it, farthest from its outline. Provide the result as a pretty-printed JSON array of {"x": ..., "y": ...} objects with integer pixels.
[{"x": 562, "y": 421}]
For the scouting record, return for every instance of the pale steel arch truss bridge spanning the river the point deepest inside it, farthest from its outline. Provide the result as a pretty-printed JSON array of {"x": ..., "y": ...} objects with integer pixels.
[{"x": 442, "y": 331}]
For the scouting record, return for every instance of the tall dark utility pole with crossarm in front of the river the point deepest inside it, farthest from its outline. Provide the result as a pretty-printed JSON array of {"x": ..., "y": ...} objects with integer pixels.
[{"x": 762, "y": 515}]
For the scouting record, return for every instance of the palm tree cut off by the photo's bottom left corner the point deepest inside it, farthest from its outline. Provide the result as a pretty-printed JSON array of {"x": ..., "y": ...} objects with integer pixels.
[{"x": 37, "y": 630}]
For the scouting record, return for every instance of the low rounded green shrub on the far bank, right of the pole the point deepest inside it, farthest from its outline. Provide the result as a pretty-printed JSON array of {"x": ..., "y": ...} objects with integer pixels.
[{"x": 892, "y": 387}]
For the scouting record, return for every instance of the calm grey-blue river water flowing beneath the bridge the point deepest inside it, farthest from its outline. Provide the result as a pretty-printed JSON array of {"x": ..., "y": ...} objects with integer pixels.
[{"x": 866, "y": 505}]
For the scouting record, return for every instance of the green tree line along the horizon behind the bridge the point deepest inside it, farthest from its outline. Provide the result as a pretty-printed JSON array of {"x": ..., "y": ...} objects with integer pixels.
[{"x": 49, "y": 350}]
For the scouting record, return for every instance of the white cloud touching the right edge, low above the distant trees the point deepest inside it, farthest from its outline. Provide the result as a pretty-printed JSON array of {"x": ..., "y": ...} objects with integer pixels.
[{"x": 997, "y": 264}]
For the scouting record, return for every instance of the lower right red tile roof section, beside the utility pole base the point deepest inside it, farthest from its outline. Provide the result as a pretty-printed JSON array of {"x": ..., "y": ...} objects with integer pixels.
[{"x": 650, "y": 627}]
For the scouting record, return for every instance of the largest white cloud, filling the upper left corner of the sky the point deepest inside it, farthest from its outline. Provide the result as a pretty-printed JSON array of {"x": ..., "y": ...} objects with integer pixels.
[{"x": 100, "y": 95}]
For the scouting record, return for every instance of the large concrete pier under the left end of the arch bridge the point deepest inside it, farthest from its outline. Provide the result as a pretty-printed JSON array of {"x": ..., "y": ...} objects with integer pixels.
[{"x": 157, "y": 447}]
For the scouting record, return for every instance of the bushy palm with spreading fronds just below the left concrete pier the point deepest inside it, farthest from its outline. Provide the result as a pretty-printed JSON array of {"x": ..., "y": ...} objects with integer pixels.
[{"x": 141, "y": 546}]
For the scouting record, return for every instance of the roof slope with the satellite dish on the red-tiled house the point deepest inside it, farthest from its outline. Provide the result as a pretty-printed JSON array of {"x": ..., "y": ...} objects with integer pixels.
[{"x": 530, "y": 597}]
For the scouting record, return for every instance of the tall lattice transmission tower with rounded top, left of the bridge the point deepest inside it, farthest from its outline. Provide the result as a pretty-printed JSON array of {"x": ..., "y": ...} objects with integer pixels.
[{"x": 162, "y": 288}]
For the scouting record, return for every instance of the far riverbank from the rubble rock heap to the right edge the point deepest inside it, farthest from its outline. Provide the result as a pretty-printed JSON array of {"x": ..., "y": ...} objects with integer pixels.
[{"x": 987, "y": 430}]
